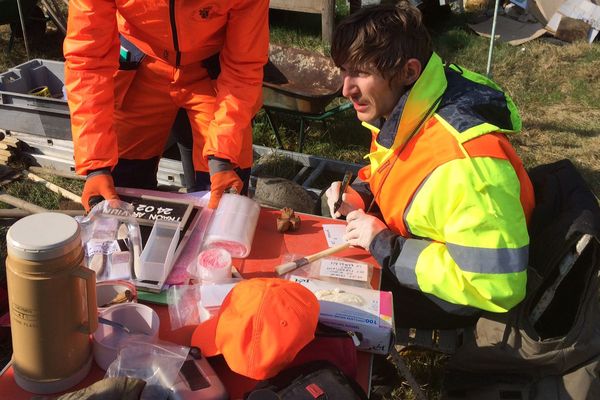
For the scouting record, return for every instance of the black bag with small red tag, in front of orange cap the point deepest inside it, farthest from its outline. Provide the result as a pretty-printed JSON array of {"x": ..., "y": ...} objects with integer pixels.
[{"x": 310, "y": 381}]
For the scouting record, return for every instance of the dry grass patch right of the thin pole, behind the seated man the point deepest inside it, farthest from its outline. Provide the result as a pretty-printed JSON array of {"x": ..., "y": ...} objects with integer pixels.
[{"x": 557, "y": 90}]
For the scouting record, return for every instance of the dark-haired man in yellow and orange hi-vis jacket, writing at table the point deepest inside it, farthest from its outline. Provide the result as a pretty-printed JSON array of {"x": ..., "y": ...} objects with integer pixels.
[{"x": 453, "y": 196}]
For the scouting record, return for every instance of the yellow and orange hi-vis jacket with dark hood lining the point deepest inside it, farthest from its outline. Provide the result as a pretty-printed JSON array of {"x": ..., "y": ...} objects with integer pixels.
[{"x": 453, "y": 192}]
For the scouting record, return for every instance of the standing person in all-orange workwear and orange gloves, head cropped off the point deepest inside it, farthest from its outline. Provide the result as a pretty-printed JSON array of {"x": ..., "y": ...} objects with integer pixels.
[{"x": 130, "y": 66}]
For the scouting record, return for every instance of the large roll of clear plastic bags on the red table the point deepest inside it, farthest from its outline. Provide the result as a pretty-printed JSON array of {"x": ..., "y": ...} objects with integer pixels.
[{"x": 233, "y": 225}]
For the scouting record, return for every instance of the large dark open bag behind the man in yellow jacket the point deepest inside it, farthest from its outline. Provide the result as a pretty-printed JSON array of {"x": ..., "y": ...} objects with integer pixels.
[{"x": 548, "y": 347}]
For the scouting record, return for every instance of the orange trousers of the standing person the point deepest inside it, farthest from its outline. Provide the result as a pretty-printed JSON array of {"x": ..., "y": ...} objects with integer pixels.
[{"x": 147, "y": 100}]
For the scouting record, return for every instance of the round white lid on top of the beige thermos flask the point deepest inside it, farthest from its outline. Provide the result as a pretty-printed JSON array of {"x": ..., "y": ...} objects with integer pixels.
[{"x": 43, "y": 236}]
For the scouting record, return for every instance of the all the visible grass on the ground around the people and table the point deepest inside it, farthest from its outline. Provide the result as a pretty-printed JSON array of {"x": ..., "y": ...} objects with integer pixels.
[{"x": 556, "y": 88}]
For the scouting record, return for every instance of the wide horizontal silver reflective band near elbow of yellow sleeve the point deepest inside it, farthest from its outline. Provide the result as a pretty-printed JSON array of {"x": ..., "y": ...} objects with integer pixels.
[{"x": 489, "y": 261}]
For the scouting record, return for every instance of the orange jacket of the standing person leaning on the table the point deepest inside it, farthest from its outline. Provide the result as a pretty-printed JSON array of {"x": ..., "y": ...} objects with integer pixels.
[{"x": 178, "y": 33}]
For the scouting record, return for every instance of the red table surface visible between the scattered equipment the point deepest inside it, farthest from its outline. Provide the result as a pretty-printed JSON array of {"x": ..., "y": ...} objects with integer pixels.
[{"x": 269, "y": 249}]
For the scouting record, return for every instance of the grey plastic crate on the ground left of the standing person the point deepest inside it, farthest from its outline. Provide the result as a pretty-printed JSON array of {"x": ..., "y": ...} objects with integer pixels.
[{"x": 24, "y": 112}]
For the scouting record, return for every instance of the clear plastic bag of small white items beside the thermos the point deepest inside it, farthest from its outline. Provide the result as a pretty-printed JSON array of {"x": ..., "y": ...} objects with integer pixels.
[{"x": 112, "y": 240}]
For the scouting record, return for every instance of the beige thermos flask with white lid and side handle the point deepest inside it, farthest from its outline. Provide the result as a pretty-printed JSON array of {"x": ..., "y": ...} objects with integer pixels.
[{"x": 52, "y": 300}]
